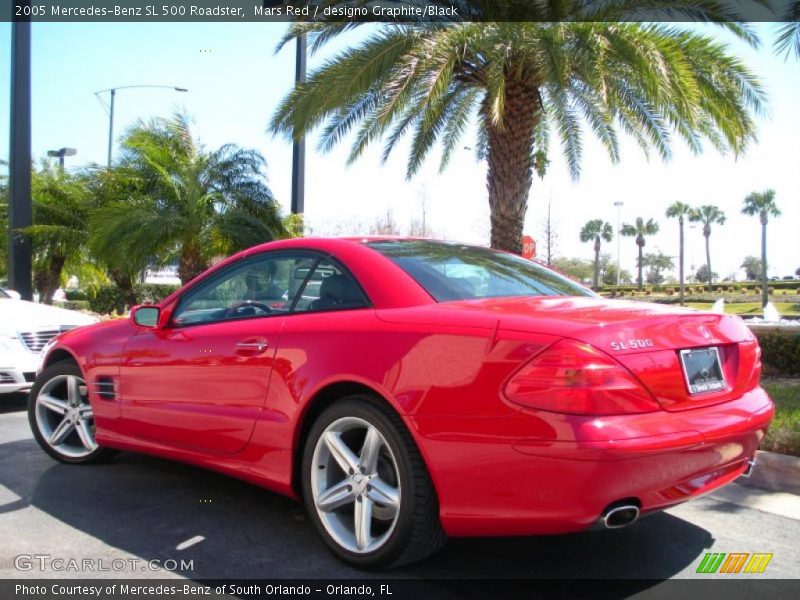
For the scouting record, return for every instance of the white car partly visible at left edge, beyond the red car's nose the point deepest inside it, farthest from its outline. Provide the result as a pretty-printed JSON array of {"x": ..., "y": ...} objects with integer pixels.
[{"x": 25, "y": 327}]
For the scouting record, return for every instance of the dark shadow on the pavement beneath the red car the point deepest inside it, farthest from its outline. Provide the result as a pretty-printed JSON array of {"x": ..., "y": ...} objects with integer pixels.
[{"x": 149, "y": 507}]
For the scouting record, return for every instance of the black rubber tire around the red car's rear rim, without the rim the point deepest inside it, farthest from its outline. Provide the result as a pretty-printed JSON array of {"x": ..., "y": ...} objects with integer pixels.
[{"x": 417, "y": 532}]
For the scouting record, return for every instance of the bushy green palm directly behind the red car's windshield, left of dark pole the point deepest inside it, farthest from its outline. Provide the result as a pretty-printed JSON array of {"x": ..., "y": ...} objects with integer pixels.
[{"x": 181, "y": 201}]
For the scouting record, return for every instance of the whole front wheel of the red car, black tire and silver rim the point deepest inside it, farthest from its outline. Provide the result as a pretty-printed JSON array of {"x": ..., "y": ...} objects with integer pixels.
[{"x": 61, "y": 417}]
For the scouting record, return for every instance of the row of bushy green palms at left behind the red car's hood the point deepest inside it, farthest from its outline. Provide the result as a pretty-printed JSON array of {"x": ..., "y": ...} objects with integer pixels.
[{"x": 166, "y": 199}]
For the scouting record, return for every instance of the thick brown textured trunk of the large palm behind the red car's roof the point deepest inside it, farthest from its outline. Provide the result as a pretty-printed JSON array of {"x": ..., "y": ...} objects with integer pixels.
[{"x": 510, "y": 164}]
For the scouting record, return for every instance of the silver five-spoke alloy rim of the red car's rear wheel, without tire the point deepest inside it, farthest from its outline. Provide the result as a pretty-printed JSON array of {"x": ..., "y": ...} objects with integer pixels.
[{"x": 356, "y": 492}]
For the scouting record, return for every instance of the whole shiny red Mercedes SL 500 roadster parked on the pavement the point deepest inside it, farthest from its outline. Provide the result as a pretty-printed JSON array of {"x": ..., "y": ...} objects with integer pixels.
[{"x": 408, "y": 390}]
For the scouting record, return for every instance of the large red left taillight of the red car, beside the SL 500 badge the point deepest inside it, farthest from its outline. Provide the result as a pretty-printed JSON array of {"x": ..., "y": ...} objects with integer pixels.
[{"x": 577, "y": 378}]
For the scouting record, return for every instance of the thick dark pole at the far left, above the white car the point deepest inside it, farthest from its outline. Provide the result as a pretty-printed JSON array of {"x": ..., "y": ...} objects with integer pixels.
[{"x": 20, "y": 212}]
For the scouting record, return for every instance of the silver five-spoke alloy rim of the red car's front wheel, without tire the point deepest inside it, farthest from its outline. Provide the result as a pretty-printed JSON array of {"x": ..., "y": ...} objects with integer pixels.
[{"x": 64, "y": 416}]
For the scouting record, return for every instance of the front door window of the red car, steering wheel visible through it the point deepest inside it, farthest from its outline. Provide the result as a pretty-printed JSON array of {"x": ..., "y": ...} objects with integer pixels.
[{"x": 259, "y": 286}]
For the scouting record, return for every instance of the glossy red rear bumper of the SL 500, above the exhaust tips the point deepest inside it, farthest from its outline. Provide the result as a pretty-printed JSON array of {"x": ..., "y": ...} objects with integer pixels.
[{"x": 525, "y": 486}]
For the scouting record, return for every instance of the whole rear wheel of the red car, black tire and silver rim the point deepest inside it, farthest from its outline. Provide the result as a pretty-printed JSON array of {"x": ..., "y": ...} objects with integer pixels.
[{"x": 366, "y": 487}]
